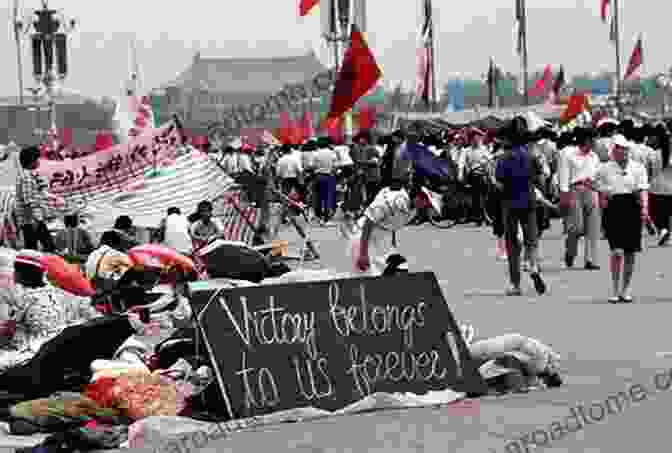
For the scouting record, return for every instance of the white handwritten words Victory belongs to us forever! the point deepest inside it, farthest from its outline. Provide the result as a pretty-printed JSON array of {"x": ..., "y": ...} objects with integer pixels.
[{"x": 350, "y": 324}]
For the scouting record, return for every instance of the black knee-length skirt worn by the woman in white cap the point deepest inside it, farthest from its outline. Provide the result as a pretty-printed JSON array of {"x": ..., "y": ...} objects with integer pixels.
[{"x": 623, "y": 223}]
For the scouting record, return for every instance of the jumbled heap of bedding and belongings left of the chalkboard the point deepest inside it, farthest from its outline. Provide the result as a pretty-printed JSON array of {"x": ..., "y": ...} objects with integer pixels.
[{"x": 71, "y": 367}]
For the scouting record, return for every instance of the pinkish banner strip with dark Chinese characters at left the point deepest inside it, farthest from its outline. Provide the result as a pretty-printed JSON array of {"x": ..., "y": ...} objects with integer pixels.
[{"x": 115, "y": 167}]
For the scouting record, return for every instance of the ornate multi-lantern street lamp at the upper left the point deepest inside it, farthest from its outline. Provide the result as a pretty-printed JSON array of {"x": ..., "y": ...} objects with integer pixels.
[{"x": 48, "y": 35}]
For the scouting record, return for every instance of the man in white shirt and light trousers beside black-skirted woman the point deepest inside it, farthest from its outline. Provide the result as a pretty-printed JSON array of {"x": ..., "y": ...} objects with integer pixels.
[{"x": 577, "y": 168}]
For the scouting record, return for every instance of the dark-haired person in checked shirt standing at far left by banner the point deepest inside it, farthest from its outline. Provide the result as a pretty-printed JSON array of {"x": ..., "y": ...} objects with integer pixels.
[{"x": 31, "y": 202}]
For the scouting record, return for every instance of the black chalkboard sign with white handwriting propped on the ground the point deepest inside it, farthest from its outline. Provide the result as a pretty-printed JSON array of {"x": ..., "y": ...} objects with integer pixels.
[{"x": 328, "y": 344}]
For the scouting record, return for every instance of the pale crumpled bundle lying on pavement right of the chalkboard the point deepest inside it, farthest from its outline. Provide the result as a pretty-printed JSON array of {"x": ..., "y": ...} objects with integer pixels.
[{"x": 513, "y": 362}]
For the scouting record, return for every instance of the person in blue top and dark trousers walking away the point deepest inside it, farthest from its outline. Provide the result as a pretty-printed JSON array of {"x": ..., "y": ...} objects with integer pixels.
[{"x": 518, "y": 172}]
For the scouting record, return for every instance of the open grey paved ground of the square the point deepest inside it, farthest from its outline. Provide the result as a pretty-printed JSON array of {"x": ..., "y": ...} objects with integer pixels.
[{"x": 607, "y": 349}]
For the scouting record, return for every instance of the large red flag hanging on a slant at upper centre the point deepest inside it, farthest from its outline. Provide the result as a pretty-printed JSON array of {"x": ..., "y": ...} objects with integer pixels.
[{"x": 359, "y": 73}]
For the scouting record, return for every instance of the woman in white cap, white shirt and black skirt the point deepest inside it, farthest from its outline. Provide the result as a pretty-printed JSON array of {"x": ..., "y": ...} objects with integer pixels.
[{"x": 623, "y": 185}]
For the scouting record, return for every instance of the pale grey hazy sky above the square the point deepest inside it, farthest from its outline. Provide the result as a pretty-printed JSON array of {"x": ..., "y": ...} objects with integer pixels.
[{"x": 168, "y": 33}]
